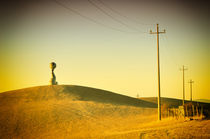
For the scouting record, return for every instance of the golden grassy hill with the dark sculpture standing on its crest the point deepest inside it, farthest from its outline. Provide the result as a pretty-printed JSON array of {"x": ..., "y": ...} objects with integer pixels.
[{"x": 63, "y": 111}]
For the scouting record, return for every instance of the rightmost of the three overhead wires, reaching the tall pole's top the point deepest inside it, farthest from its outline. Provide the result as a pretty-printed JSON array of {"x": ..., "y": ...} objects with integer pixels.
[{"x": 120, "y": 14}]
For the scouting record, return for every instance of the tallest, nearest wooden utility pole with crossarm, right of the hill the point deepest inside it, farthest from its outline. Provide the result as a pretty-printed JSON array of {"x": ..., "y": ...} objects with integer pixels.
[{"x": 158, "y": 63}]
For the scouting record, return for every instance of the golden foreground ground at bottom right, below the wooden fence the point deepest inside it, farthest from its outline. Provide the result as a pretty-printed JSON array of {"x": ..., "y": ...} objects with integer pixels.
[{"x": 169, "y": 129}]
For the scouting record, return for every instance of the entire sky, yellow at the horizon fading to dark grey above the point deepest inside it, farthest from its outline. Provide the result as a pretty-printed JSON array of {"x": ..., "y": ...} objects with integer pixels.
[{"x": 106, "y": 44}]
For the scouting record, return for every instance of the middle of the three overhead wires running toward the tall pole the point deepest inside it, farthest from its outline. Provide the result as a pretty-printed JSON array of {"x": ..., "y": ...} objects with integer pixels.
[{"x": 112, "y": 17}]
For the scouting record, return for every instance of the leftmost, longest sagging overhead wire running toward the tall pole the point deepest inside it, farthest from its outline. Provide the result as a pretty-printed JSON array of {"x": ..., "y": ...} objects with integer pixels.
[{"x": 93, "y": 20}]
